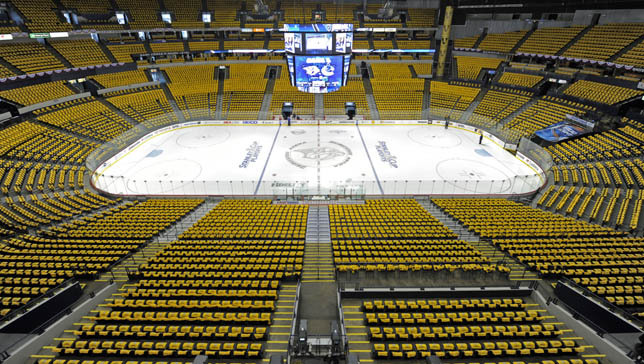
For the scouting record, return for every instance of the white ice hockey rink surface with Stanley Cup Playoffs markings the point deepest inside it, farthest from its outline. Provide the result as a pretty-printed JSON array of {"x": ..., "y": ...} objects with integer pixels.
[{"x": 272, "y": 159}]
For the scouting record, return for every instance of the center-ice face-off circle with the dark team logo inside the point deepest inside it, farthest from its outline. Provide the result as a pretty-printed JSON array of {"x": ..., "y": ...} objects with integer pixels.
[{"x": 310, "y": 155}]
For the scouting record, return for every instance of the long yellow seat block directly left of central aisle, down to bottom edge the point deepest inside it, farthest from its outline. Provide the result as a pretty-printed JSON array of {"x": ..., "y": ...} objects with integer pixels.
[{"x": 184, "y": 302}]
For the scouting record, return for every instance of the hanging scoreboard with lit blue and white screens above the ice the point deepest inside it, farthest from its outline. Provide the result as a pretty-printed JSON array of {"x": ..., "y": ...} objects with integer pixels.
[{"x": 318, "y": 55}]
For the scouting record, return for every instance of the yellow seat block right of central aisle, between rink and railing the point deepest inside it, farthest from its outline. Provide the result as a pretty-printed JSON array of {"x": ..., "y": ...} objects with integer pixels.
[{"x": 399, "y": 235}]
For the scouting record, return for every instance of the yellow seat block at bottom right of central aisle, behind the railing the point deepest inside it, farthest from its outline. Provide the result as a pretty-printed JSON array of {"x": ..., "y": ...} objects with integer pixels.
[{"x": 498, "y": 328}]
